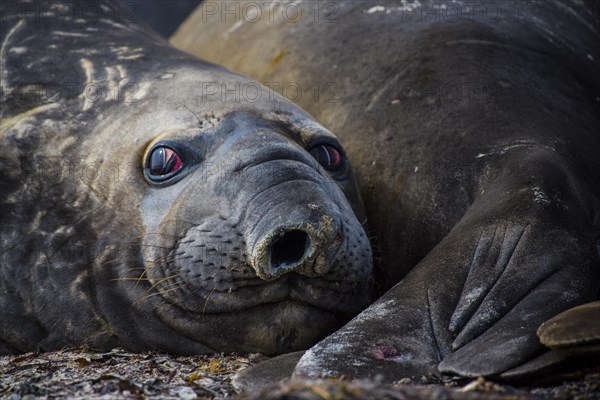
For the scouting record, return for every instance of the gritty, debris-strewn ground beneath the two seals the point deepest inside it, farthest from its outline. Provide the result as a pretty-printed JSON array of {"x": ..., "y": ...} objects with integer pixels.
[{"x": 82, "y": 374}]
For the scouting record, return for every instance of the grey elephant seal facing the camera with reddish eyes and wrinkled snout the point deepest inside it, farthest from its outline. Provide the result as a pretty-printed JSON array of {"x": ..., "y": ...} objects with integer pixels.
[{"x": 155, "y": 201}]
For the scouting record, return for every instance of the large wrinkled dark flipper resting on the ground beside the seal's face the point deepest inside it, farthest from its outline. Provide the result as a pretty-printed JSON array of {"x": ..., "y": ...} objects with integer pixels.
[{"x": 523, "y": 252}]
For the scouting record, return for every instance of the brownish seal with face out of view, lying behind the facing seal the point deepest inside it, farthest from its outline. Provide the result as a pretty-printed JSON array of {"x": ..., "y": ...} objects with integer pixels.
[{"x": 475, "y": 137}]
